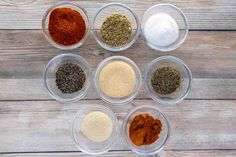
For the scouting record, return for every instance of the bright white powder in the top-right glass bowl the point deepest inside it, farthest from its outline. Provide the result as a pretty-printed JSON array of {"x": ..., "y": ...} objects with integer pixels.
[{"x": 161, "y": 30}]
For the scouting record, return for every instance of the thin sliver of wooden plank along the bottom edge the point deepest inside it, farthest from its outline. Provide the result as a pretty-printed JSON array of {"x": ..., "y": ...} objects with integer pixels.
[{"x": 167, "y": 153}]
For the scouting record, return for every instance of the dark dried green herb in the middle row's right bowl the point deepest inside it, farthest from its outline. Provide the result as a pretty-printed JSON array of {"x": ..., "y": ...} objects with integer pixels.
[{"x": 166, "y": 80}]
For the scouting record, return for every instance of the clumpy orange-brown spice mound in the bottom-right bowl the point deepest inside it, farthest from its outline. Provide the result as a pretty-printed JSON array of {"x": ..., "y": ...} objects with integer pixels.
[{"x": 144, "y": 129}]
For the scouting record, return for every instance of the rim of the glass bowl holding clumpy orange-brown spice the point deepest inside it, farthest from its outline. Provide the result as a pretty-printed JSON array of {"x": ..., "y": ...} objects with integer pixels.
[{"x": 126, "y": 137}]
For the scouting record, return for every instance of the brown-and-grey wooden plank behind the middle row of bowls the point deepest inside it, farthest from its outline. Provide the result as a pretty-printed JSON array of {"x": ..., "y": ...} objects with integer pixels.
[{"x": 23, "y": 61}]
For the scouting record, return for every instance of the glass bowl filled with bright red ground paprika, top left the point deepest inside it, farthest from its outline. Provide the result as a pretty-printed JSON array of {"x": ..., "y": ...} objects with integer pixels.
[{"x": 65, "y": 25}]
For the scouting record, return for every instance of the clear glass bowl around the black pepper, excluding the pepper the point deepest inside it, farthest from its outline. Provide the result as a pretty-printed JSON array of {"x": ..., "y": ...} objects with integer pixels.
[{"x": 49, "y": 77}]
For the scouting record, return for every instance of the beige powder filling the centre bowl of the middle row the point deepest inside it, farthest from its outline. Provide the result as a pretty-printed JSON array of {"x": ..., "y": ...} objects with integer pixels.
[{"x": 117, "y": 79}]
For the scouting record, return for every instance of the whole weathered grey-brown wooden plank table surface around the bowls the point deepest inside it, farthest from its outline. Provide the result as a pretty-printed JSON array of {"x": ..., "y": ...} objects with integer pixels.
[{"x": 204, "y": 124}]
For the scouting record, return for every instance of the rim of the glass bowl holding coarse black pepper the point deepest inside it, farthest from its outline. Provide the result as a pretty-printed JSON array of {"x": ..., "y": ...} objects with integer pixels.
[{"x": 88, "y": 75}]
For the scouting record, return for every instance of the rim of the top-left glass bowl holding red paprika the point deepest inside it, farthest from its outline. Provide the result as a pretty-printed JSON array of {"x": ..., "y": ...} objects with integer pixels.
[{"x": 85, "y": 17}]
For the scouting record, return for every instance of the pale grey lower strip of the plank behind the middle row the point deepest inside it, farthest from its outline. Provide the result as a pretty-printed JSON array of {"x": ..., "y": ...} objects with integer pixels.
[{"x": 33, "y": 89}]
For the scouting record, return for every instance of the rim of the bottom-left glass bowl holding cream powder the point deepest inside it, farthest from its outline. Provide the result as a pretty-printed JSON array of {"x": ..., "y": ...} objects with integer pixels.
[{"x": 105, "y": 110}]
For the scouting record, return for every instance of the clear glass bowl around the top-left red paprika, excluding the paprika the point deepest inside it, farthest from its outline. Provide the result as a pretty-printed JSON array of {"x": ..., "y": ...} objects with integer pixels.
[{"x": 45, "y": 22}]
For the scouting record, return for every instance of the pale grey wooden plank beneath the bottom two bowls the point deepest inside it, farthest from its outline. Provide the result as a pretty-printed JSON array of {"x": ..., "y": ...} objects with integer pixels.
[{"x": 39, "y": 126}]
